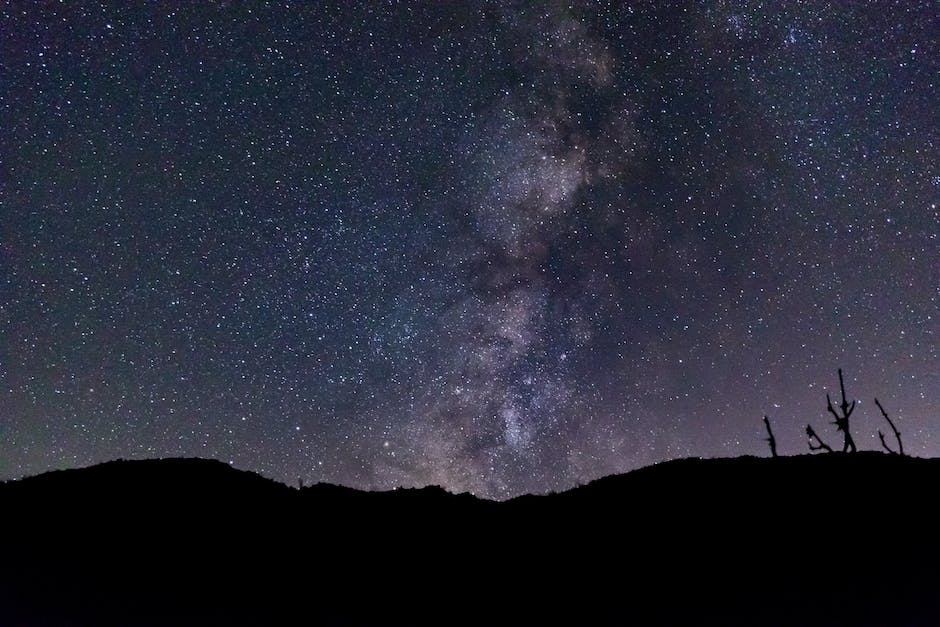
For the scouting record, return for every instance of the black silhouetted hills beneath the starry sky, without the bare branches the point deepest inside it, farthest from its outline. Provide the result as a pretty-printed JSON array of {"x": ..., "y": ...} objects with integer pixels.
[{"x": 827, "y": 540}]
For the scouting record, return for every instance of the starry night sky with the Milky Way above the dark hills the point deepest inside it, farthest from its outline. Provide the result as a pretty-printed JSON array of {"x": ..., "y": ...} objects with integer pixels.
[{"x": 498, "y": 246}]
